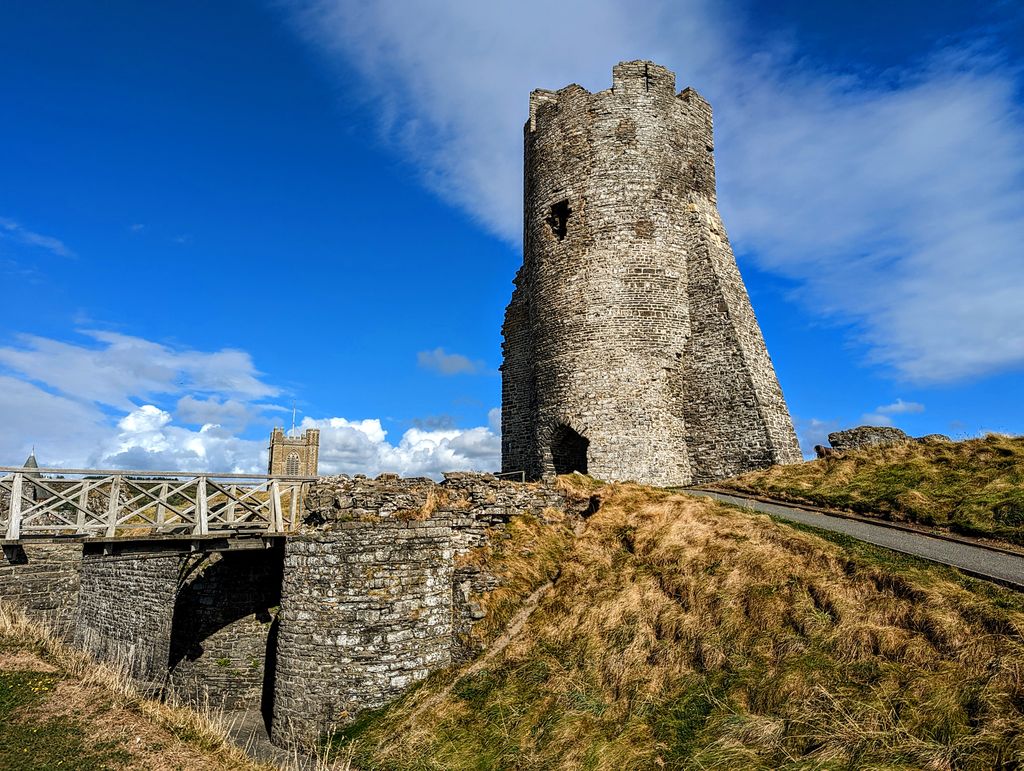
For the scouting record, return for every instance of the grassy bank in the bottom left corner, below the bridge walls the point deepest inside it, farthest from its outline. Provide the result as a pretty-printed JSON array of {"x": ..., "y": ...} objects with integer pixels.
[{"x": 60, "y": 711}]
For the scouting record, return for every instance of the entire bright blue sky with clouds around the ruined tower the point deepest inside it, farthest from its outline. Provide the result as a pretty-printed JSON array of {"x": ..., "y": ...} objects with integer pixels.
[{"x": 210, "y": 211}]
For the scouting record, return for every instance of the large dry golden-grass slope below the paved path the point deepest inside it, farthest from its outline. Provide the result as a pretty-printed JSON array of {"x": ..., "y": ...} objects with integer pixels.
[{"x": 685, "y": 634}]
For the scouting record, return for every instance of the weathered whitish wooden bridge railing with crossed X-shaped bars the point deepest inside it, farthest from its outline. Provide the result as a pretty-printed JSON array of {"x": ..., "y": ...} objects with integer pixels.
[{"x": 140, "y": 504}]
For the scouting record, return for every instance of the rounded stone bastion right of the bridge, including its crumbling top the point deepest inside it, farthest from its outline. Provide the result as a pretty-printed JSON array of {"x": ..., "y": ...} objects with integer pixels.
[{"x": 375, "y": 596}]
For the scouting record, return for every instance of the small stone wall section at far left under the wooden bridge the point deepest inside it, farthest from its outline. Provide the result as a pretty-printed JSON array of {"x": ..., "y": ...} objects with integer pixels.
[{"x": 42, "y": 580}]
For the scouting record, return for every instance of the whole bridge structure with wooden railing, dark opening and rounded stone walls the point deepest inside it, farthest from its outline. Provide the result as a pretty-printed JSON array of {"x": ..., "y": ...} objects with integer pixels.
[{"x": 308, "y": 599}]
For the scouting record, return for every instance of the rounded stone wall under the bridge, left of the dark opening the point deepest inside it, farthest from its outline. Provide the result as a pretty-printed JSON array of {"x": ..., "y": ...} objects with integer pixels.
[{"x": 126, "y": 608}]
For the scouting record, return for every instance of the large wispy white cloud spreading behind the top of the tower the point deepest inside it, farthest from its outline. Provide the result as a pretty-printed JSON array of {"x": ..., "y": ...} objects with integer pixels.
[{"x": 895, "y": 201}]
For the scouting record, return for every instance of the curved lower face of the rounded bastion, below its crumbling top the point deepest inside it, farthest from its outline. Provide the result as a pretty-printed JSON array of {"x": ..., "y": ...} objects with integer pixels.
[{"x": 366, "y": 612}]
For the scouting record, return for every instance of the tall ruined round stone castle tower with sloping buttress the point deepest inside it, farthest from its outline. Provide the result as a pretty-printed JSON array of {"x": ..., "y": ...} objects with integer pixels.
[{"x": 631, "y": 349}]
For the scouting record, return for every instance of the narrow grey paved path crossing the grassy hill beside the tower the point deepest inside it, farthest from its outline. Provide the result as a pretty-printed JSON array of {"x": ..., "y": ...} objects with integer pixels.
[{"x": 1000, "y": 567}]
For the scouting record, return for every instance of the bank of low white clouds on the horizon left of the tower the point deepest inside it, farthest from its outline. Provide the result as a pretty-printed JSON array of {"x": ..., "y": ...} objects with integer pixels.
[{"x": 81, "y": 410}]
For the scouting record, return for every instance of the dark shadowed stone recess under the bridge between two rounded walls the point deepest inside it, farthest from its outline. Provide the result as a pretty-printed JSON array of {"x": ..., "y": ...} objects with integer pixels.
[{"x": 222, "y": 630}]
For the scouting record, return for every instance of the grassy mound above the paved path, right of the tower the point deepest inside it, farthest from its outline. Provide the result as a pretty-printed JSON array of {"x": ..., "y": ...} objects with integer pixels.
[{"x": 974, "y": 488}]
